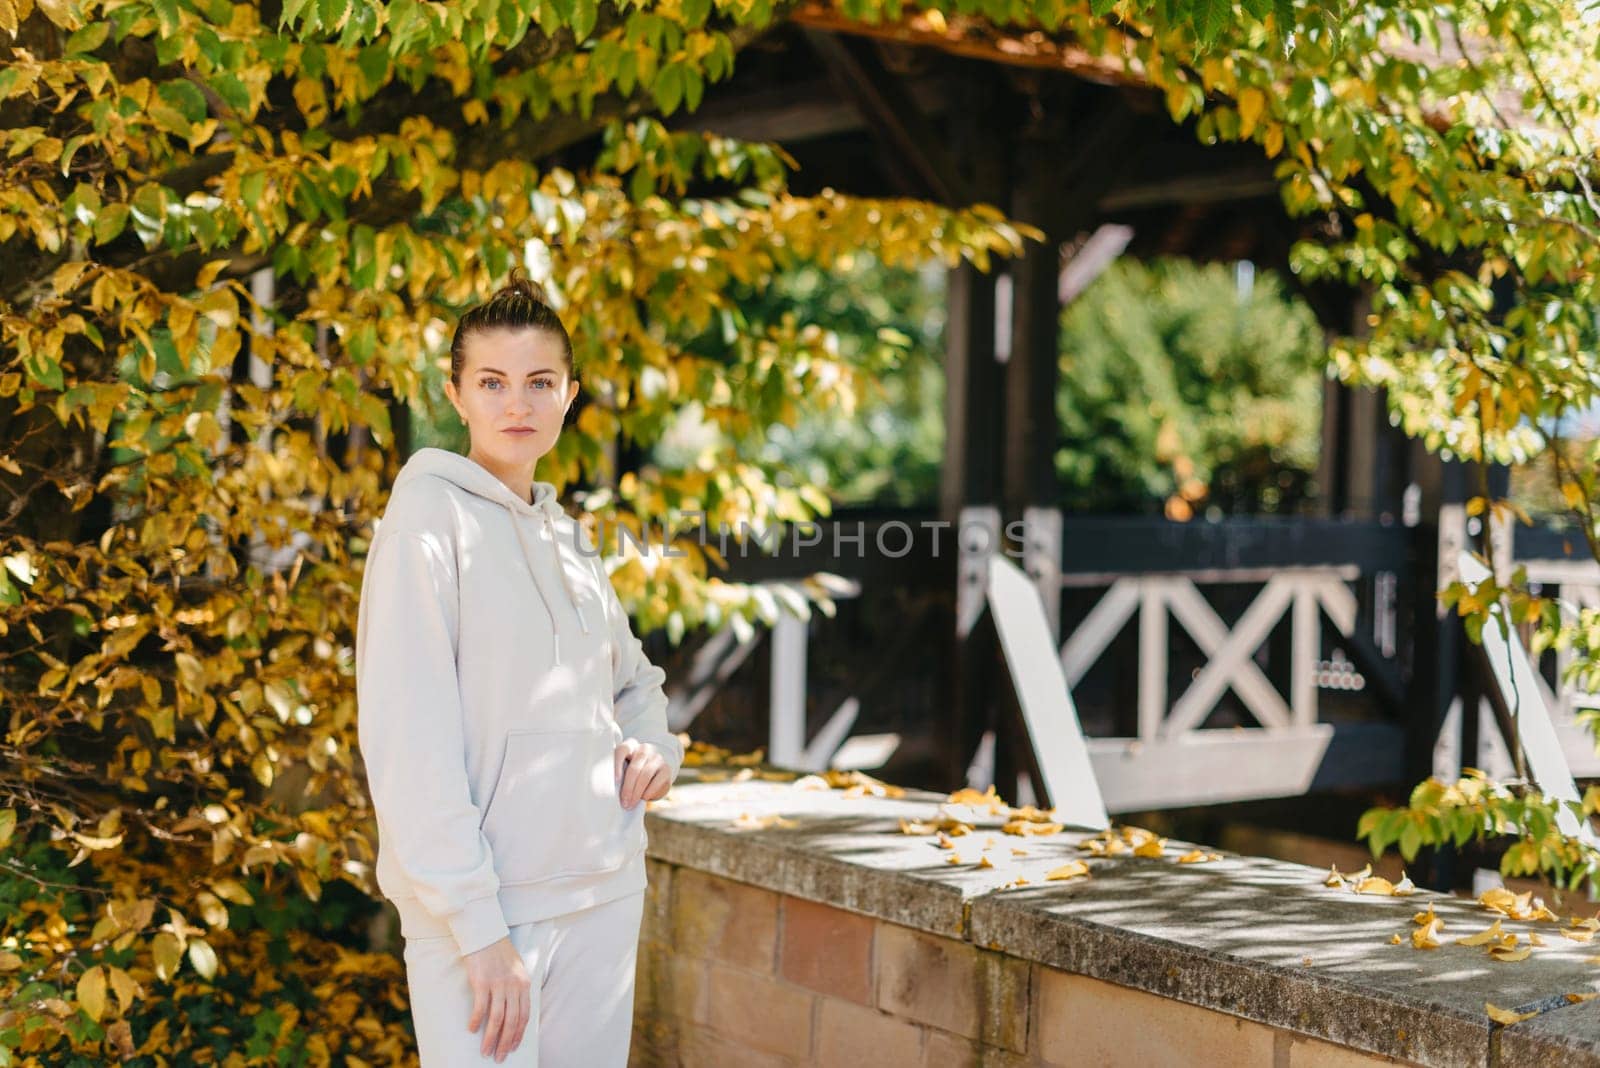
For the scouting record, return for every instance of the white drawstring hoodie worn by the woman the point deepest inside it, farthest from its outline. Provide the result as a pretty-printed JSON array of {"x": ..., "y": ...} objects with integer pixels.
[{"x": 495, "y": 675}]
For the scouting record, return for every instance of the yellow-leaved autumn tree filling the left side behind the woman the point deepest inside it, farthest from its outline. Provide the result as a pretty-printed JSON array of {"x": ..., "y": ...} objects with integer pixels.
[{"x": 194, "y": 196}]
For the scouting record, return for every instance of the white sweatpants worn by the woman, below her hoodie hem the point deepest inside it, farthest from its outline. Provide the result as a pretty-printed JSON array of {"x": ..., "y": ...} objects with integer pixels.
[{"x": 582, "y": 966}]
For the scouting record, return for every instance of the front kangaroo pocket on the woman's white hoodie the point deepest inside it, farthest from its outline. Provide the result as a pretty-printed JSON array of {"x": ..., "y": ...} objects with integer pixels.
[{"x": 554, "y": 810}]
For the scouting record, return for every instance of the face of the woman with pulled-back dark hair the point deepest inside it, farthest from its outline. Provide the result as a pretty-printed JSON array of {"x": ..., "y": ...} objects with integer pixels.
[{"x": 514, "y": 394}]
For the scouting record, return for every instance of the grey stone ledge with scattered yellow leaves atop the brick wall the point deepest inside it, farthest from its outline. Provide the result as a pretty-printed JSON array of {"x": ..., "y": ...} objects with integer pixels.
[{"x": 1258, "y": 939}]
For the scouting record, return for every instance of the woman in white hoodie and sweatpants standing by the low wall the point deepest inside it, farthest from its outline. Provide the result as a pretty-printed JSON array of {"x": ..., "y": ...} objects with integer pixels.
[{"x": 511, "y": 725}]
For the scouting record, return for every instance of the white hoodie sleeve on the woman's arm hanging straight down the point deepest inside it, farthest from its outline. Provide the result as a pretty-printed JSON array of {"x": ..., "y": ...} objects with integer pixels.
[{"x": 412, "y": 738}]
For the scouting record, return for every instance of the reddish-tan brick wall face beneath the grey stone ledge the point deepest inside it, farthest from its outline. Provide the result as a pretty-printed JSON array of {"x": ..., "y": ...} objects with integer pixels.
[{"x": 734, "y": 974}]
